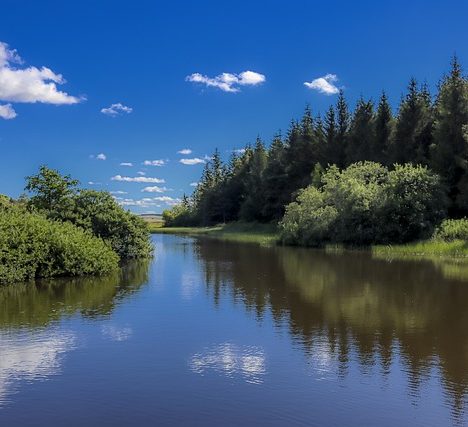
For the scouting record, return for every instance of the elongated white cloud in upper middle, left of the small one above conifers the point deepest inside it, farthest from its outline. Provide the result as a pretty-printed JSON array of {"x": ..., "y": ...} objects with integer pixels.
[{"x": 228, "y": 82}]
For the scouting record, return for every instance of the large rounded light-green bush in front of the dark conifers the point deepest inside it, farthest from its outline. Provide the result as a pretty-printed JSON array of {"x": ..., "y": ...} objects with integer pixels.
[{"x": 364, "y": 204}]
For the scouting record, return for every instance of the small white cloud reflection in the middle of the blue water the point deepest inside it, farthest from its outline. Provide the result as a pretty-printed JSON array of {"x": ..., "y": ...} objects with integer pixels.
[{"x": 230, "y": 360}]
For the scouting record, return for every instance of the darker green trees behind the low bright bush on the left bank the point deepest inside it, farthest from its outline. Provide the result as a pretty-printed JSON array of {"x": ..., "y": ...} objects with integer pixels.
[{"x": 58, "y": 197}]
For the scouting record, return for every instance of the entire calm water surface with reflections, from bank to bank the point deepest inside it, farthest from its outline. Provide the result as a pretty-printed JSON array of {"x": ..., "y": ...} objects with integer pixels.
[{"x": 222, "y": 334}]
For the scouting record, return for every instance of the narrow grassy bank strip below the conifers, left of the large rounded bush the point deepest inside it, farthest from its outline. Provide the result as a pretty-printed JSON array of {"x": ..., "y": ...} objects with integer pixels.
[{"x": 263, "y": 234}]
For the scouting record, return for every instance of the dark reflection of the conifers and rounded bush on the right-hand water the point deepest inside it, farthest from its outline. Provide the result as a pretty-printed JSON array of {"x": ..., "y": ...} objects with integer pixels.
[{"x": 340, "y": 305}]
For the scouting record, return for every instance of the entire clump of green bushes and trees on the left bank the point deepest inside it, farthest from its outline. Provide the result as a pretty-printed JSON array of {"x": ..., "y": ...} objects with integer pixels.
[{"x": 61, "y": 229}]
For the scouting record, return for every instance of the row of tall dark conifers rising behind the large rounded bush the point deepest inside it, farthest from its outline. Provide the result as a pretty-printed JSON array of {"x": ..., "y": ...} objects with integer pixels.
[{"x": 258, "y": 183}]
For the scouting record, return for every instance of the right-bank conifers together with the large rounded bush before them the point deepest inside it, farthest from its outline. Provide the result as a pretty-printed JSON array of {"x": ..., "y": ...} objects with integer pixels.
[{"x": 423, "y": 144}]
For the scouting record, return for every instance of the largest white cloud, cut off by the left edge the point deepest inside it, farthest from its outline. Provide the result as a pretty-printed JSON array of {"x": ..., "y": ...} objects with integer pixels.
[{"x": 30, "y": 84}]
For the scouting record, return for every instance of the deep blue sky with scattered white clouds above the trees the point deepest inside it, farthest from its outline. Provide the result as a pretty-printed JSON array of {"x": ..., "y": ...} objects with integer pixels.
[{"x": 133, "y": 97}]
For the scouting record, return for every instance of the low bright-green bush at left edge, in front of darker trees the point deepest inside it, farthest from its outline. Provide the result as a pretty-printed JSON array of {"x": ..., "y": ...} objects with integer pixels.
[{"x": 32, "y": 246}]
